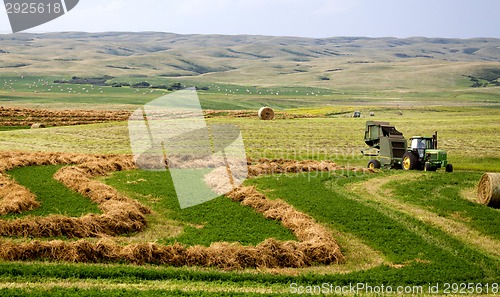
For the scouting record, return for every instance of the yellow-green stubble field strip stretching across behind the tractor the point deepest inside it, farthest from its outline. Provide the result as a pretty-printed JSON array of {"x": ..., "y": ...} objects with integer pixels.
[{"x": 468, "y": 138}]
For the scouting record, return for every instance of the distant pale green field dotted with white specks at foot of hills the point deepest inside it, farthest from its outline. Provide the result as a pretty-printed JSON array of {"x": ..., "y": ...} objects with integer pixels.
[{"x": 36, "y": 91}]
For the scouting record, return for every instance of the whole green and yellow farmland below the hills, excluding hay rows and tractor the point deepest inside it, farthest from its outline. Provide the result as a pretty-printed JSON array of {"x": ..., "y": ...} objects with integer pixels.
[{"x": 409, "y": 230}]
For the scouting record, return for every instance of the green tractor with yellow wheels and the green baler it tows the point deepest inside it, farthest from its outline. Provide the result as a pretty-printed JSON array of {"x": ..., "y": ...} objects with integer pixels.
[{"x": 393, "y": 151}]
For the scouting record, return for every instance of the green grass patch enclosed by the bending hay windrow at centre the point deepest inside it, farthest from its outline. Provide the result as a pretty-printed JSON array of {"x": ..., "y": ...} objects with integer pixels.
[{"x": 214, "y": 221}]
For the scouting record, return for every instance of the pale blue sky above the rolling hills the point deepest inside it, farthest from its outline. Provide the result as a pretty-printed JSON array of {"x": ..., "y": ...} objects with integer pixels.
[{"x": 312, "y": 18}]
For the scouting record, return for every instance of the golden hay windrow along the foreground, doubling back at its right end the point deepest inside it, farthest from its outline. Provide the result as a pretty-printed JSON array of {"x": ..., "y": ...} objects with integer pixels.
[{"x": 317, "y": 246}]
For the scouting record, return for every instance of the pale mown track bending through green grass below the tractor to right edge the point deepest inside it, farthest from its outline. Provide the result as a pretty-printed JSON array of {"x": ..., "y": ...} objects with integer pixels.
[{"x": 373, "y": 190}]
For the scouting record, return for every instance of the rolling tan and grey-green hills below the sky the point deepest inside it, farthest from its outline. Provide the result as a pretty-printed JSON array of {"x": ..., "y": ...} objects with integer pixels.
[{"x": 354, "y": 62}]
